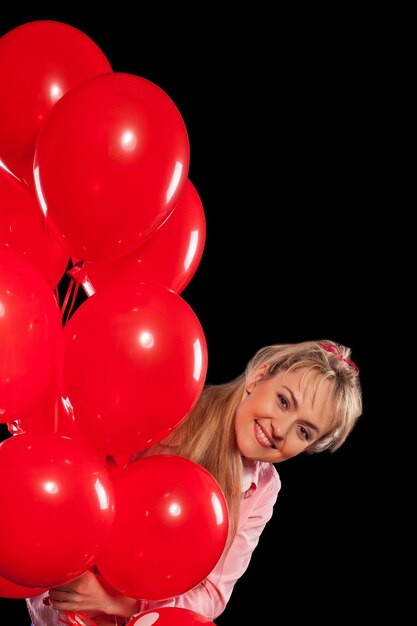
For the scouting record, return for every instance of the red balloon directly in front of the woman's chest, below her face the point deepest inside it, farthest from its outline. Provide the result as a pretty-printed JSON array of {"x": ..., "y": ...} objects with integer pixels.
[{"x": 170, "y": 528}]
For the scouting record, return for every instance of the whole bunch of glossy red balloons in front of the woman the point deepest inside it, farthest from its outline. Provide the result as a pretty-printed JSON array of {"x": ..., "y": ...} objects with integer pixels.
[{"x": 94, "y": 174}]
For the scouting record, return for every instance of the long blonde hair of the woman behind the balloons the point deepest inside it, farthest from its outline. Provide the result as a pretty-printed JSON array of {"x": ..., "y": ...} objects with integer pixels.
[{"x": 207, "y": 435}]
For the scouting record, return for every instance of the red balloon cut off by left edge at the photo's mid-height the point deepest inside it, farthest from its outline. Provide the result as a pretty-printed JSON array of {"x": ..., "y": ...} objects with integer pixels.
[{"x": 29, "y": 323}]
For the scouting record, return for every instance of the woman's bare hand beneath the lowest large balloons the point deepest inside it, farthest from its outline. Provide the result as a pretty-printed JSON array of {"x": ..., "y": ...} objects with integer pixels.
[{"x": 87, "y": 594}]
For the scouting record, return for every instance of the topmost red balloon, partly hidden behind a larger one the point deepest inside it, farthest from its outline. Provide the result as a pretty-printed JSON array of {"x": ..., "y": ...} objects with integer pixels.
[{"x": 39, "y": 62}]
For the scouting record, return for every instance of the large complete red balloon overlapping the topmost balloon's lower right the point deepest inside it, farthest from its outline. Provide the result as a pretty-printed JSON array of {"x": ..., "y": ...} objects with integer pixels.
[{"x": 110, "y": 164}]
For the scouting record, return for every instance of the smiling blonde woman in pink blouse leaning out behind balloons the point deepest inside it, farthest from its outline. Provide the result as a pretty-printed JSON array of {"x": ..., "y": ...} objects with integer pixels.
[{"x": 291, "y": 399}]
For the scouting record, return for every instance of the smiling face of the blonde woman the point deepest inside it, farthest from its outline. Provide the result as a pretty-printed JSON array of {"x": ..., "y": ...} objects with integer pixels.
[{"x": 282, "y": 415}]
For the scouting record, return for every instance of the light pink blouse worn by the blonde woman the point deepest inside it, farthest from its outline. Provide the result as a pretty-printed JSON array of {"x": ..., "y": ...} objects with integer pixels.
[{"x": 261, "y": 484}]
